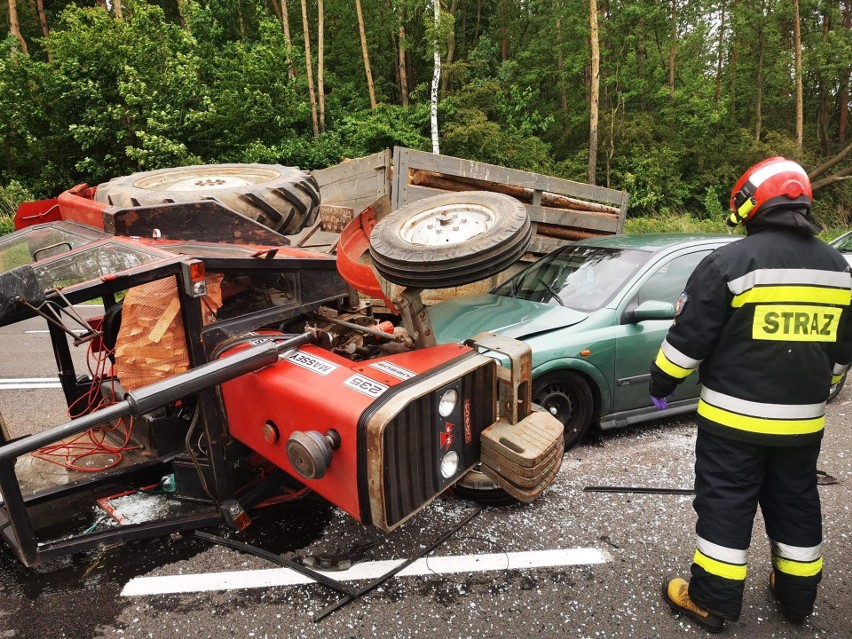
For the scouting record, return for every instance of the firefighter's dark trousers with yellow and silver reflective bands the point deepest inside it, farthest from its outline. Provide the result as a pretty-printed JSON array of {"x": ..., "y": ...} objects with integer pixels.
[{"x": 731, "y": 479}]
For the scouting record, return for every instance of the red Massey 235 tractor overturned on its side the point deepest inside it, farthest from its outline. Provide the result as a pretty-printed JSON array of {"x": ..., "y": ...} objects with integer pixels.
[{"x": 238, "y": 371}]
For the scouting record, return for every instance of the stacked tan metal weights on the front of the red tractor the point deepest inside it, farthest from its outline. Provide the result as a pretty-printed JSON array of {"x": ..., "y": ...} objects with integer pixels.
[{"x": 523, "y": 458}]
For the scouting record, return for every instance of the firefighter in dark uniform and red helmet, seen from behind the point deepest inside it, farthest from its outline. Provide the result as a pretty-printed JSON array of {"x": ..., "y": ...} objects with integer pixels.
[{"x": 766, "y": 322}]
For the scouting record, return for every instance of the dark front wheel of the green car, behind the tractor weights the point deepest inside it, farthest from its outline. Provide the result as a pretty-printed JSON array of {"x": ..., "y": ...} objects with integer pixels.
[{"x": 566, "y": 396}]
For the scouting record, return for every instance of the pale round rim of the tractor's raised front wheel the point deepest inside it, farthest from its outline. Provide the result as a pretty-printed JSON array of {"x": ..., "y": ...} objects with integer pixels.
[{"x": 450, "y": 224}]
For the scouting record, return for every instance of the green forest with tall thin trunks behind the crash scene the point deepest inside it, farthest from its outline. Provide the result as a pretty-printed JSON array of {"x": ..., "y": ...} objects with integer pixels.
[{"x": 669, "y": 100}]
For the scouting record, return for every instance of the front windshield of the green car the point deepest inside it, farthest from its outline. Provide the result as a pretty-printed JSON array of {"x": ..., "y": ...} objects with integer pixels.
[{"x": 584, "y": 278}]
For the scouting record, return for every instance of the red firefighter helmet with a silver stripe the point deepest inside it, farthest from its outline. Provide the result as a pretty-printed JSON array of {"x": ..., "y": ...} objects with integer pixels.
[{"x": 770, "y": 183}]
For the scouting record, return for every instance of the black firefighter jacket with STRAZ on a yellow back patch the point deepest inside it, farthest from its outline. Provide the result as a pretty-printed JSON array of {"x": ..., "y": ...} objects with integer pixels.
[{"x": 765, "y": 321}]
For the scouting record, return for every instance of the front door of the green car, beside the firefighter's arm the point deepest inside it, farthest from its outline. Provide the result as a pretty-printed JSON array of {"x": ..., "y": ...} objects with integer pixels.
[{"x": 637, "y": 343}]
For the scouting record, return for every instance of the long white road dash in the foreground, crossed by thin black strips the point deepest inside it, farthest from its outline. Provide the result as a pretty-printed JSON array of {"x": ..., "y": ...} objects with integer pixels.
[{"x": 147, "y": 586}]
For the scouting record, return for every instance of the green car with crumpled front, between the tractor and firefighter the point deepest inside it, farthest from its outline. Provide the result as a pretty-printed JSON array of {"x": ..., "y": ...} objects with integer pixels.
[{"x": 595, "y": 313}]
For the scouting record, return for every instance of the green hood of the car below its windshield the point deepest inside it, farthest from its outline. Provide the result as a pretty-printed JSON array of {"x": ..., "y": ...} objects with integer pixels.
[{"x": 457, "y": 320}]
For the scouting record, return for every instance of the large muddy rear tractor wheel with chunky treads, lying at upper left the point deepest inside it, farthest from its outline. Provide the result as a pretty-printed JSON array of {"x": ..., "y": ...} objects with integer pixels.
[{"x": 285, "y": 199}]
